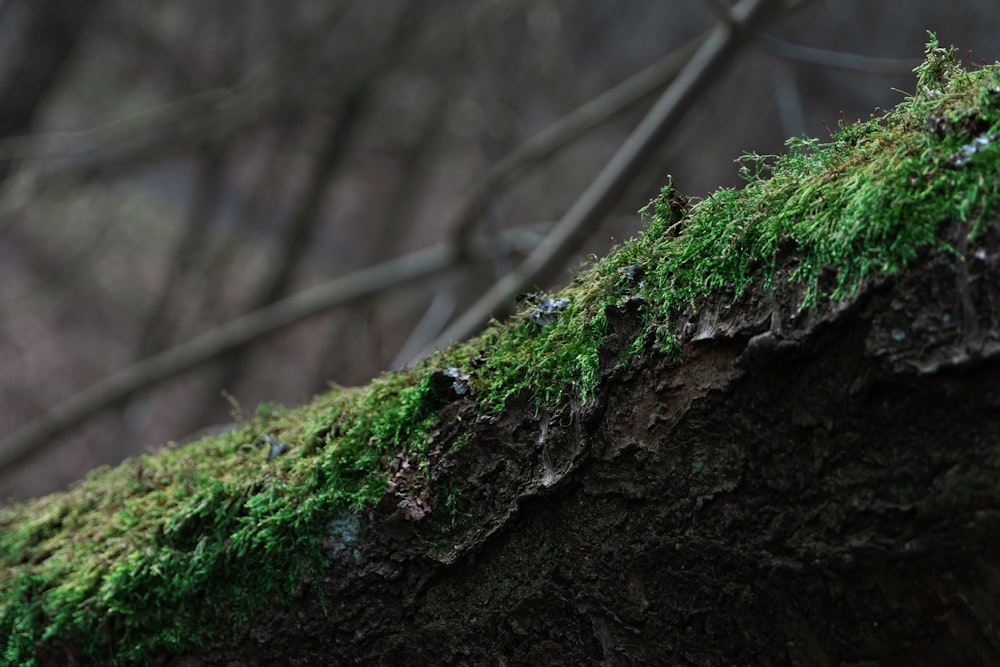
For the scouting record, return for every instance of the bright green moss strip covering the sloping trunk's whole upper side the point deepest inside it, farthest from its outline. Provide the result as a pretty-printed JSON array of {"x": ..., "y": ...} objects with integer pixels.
[{"x": 137, "y": 557}]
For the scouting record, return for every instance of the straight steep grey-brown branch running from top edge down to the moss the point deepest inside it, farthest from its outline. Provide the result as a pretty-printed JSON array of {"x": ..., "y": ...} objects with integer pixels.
[{"x": 721, "y": 45}]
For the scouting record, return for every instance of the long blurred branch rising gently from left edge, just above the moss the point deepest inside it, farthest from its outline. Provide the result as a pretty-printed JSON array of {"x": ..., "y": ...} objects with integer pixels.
[{"x": 38, "y": 435}]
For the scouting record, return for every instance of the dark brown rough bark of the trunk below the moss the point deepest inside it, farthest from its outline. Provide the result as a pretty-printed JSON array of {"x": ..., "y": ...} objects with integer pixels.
[{"x": 817, "y": 488}]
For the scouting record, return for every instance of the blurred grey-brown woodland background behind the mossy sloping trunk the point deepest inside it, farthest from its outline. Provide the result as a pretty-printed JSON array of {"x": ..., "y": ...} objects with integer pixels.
[{"x": 166, "y": 167}]
